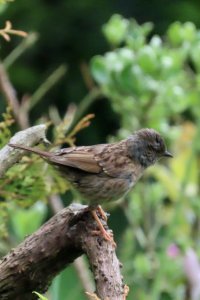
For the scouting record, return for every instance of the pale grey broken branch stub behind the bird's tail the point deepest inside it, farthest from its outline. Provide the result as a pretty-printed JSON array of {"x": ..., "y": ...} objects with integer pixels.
[{"x": 30, "y": 136}]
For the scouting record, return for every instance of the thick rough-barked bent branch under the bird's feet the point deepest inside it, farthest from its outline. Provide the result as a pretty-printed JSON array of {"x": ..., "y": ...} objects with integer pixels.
[{"x": 34, "y": 263}]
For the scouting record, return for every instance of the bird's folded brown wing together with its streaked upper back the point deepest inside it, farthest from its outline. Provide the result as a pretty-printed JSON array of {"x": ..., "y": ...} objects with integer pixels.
[{"x": 108, "y": 158}]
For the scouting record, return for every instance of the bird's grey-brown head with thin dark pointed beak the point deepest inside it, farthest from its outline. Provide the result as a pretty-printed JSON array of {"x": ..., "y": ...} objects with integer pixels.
[{"x": 146, "y": 146}]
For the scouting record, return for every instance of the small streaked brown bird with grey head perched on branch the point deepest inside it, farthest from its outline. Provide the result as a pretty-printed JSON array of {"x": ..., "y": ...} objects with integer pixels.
[{"x": 106, "y": 172}]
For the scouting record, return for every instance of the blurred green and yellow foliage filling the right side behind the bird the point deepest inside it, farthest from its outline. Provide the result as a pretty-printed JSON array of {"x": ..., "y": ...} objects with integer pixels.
[{"x": 154, "y": 82}]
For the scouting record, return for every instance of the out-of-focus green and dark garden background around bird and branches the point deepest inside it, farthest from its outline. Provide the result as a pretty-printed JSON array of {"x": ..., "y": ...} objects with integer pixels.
[{"x": 133, "y": 64}]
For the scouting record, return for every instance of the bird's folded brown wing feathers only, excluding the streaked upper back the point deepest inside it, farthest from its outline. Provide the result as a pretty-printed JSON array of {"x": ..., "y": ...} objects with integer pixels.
[{"x": 82, "y": 158}]
